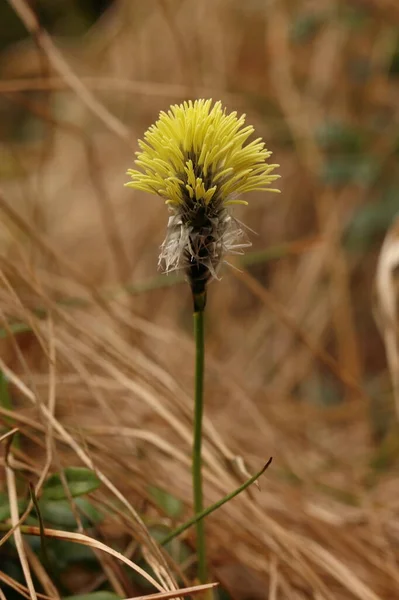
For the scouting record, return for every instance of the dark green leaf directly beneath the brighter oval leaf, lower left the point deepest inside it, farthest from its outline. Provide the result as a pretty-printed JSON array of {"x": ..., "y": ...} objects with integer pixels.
[{"x": 59, "y": 512}]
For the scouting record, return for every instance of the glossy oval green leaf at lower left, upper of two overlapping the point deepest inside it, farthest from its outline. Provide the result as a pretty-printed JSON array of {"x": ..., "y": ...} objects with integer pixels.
[{"x": 80, "y": 481}]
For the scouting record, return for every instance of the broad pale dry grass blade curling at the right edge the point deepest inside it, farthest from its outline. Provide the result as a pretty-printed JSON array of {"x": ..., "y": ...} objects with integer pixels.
[{"x": 387, "y": 306}]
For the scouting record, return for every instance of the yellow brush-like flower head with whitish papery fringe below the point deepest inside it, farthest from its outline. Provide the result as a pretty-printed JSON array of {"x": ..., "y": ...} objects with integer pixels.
[{"x": 195, "y": 158}]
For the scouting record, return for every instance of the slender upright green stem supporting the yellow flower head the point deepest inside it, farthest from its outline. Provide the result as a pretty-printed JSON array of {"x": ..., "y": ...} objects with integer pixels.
[{"x": 197, "y": 443}]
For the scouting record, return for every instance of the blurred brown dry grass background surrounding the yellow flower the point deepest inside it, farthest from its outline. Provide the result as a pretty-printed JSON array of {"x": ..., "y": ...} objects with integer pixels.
[{"x": 296, "y": 368}]
